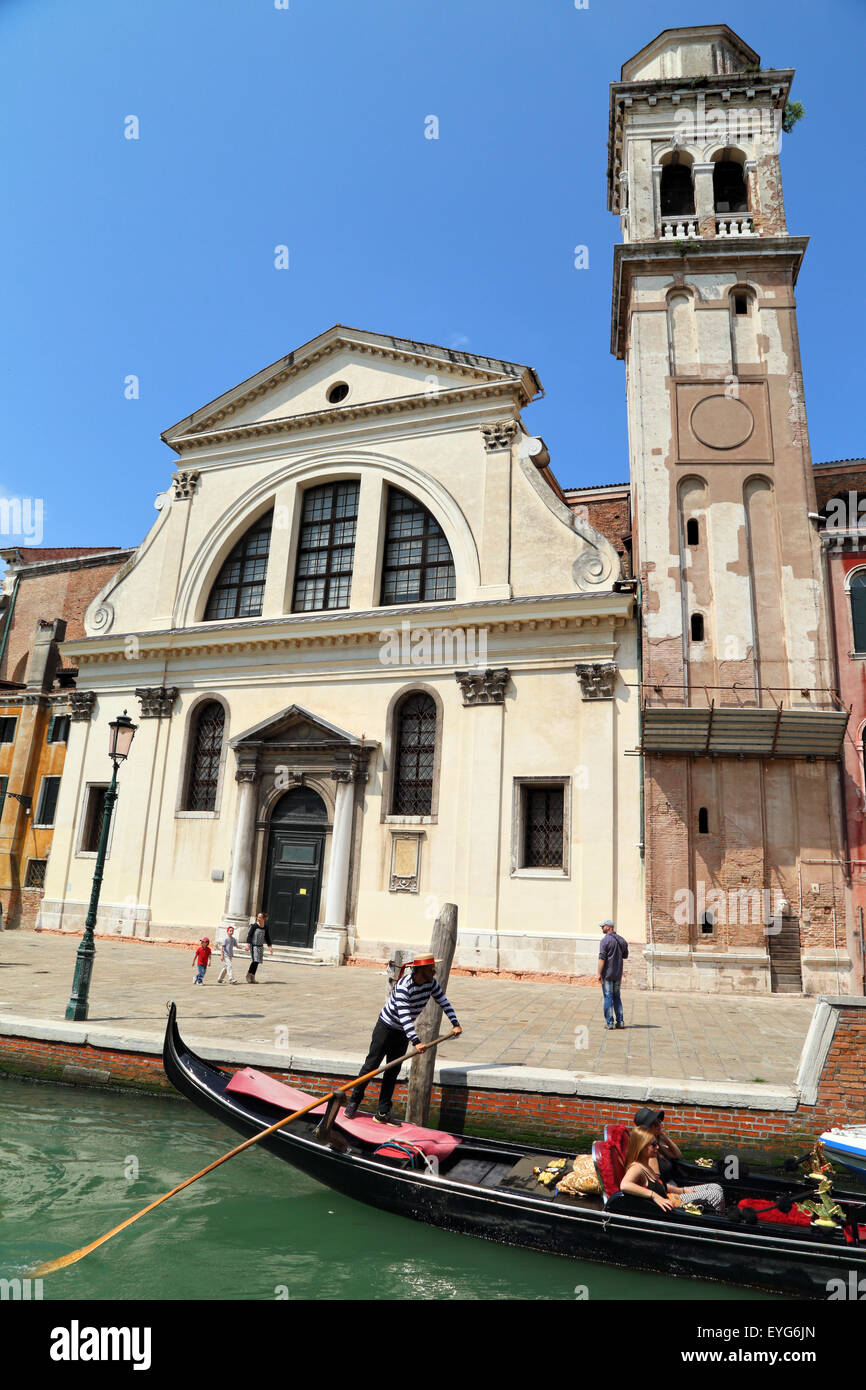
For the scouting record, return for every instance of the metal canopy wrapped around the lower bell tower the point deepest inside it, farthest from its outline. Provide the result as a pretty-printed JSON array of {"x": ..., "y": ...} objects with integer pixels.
[{"x": 753, "y": 733}]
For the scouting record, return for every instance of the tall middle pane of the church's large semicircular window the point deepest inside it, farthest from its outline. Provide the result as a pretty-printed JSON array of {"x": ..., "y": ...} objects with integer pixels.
[{"x": 326, "y": 548}]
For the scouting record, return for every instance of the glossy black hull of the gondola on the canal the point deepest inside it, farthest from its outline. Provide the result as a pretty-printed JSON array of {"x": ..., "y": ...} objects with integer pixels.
[{"x": 762, "y": 1257}]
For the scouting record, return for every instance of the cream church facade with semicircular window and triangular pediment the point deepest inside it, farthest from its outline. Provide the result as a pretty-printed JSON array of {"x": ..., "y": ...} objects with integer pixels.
[{"x": 377, "y": 662}]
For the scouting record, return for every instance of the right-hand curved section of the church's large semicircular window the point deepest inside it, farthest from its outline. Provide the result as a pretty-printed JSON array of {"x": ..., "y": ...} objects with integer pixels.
[{"x": 419, "y": 565}]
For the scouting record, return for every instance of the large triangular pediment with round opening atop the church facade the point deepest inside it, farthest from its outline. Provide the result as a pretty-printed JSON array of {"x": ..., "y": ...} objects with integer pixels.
[{"x": 373, "y": 372}]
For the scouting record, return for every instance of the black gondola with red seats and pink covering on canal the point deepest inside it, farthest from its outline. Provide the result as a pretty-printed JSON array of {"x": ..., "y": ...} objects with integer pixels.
[{"x": 487, "y": 1188}]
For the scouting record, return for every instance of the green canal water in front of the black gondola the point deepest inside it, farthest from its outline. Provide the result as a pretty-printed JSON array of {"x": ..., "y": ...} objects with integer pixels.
[{"x": 77, "y": 1163}]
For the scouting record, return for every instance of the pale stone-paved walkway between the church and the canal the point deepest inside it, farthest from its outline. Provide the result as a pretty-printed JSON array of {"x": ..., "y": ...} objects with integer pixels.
[{"x": 512, "y": 1024}]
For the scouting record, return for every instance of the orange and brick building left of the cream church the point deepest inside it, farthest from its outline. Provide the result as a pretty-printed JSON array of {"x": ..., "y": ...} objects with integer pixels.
[{"x": 45, "y": 596}]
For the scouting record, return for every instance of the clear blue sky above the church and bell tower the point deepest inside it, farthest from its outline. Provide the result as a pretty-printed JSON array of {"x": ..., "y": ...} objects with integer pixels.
[{"x": 305, "y": 127}]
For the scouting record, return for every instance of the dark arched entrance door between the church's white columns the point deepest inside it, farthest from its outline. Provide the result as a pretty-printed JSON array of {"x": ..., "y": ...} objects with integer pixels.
[{"x": 294, "y": 867}]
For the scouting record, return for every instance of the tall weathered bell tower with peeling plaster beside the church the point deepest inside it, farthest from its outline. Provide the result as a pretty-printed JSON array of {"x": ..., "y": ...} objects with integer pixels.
[{"x": 740, "y": 728}]
